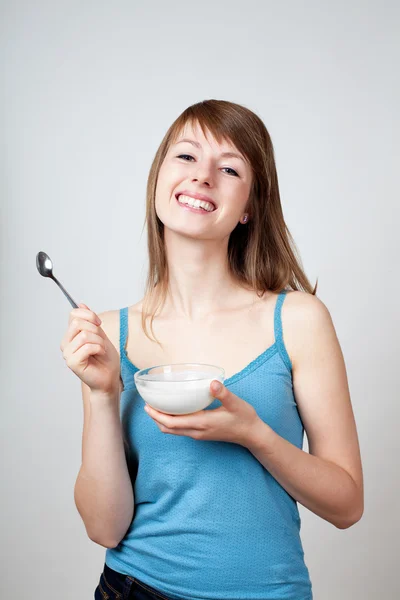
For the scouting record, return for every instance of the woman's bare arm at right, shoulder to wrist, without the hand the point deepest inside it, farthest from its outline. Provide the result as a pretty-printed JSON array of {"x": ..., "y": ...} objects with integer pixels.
[{"x": 328, "y": 480}]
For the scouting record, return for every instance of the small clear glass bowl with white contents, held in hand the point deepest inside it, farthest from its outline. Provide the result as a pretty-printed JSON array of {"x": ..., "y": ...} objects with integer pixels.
[{"x": 178, "y": 389}]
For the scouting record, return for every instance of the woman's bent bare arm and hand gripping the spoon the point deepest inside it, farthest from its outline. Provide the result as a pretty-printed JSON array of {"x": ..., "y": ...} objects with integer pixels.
[{"x": 103, "y": 490}]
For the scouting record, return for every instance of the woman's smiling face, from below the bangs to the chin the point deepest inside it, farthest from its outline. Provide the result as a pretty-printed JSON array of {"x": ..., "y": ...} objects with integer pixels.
[{"x": 200, "y": 167}]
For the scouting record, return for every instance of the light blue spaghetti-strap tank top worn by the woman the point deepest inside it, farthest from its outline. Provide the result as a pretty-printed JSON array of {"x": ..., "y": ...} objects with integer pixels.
[{"x": 210, "y": 522}]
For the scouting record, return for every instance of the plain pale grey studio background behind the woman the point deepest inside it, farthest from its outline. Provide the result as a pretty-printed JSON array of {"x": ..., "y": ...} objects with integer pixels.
[{"x": 89, "y": 89}]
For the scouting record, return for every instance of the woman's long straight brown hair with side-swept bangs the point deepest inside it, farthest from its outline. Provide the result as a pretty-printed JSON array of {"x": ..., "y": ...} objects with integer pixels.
[{"x": 262, "y": 254}]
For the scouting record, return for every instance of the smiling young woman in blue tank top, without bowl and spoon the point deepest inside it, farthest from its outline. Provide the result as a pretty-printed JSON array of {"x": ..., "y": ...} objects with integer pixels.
[{"x": 204, "y": 506}]
